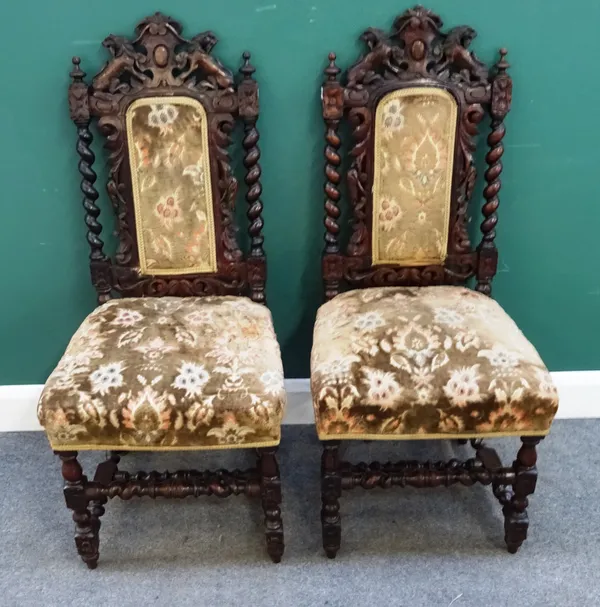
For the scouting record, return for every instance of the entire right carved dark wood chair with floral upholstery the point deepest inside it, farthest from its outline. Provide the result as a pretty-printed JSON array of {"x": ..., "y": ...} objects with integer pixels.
[{"x": 411, "y": 352}]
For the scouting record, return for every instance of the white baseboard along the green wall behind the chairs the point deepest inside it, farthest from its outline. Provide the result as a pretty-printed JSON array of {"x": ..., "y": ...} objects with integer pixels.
[{"x": 579, "y": 393}]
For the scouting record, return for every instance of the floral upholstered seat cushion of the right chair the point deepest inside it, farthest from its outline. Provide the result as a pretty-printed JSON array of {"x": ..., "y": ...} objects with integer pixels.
[{"x": 404, "y": 362}]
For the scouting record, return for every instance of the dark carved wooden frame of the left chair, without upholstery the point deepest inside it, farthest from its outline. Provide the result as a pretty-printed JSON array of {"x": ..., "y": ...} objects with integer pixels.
[{"x": 160, "y": 62}]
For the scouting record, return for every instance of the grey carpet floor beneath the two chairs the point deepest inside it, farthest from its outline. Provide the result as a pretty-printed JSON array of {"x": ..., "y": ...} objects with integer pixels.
[{"x": 400, "y": 547}]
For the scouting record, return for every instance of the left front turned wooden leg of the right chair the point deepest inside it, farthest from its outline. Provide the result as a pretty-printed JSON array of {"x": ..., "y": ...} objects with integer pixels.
[{"x": 331, "y": 491}]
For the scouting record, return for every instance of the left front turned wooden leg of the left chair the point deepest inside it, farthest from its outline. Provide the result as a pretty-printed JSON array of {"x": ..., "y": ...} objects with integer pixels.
[{"x": 87, "y": 525}]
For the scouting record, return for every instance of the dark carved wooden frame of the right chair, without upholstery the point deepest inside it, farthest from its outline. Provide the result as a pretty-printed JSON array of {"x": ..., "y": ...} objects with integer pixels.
[{"x": 417, "y": 53}]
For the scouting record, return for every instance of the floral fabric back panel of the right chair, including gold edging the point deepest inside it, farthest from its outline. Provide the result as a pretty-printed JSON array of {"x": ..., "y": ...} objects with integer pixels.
[{"x": 414, "y": 151}]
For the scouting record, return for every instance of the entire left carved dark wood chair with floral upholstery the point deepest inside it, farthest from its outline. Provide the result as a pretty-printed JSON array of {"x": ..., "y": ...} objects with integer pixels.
[{"x": 186, "y": 358}]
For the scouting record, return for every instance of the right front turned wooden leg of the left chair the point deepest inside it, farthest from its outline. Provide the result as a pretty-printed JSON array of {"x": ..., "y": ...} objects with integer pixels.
[{"x": 270, "y": 492}]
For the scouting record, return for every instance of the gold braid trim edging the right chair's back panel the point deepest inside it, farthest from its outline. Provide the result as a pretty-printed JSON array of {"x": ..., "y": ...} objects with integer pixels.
[{"x": 378, "y": 177}]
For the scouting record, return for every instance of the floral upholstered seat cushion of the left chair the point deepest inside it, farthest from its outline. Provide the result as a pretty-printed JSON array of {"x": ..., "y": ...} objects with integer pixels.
[{"x": 168, "y": 373}]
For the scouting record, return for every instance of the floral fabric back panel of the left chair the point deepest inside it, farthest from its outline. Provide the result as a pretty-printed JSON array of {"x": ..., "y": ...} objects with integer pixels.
[{"x": 170, "y": 173}]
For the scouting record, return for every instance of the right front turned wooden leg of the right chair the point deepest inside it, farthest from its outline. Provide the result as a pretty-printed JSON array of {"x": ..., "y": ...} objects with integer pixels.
[{"x": 516, "y": 520}]
